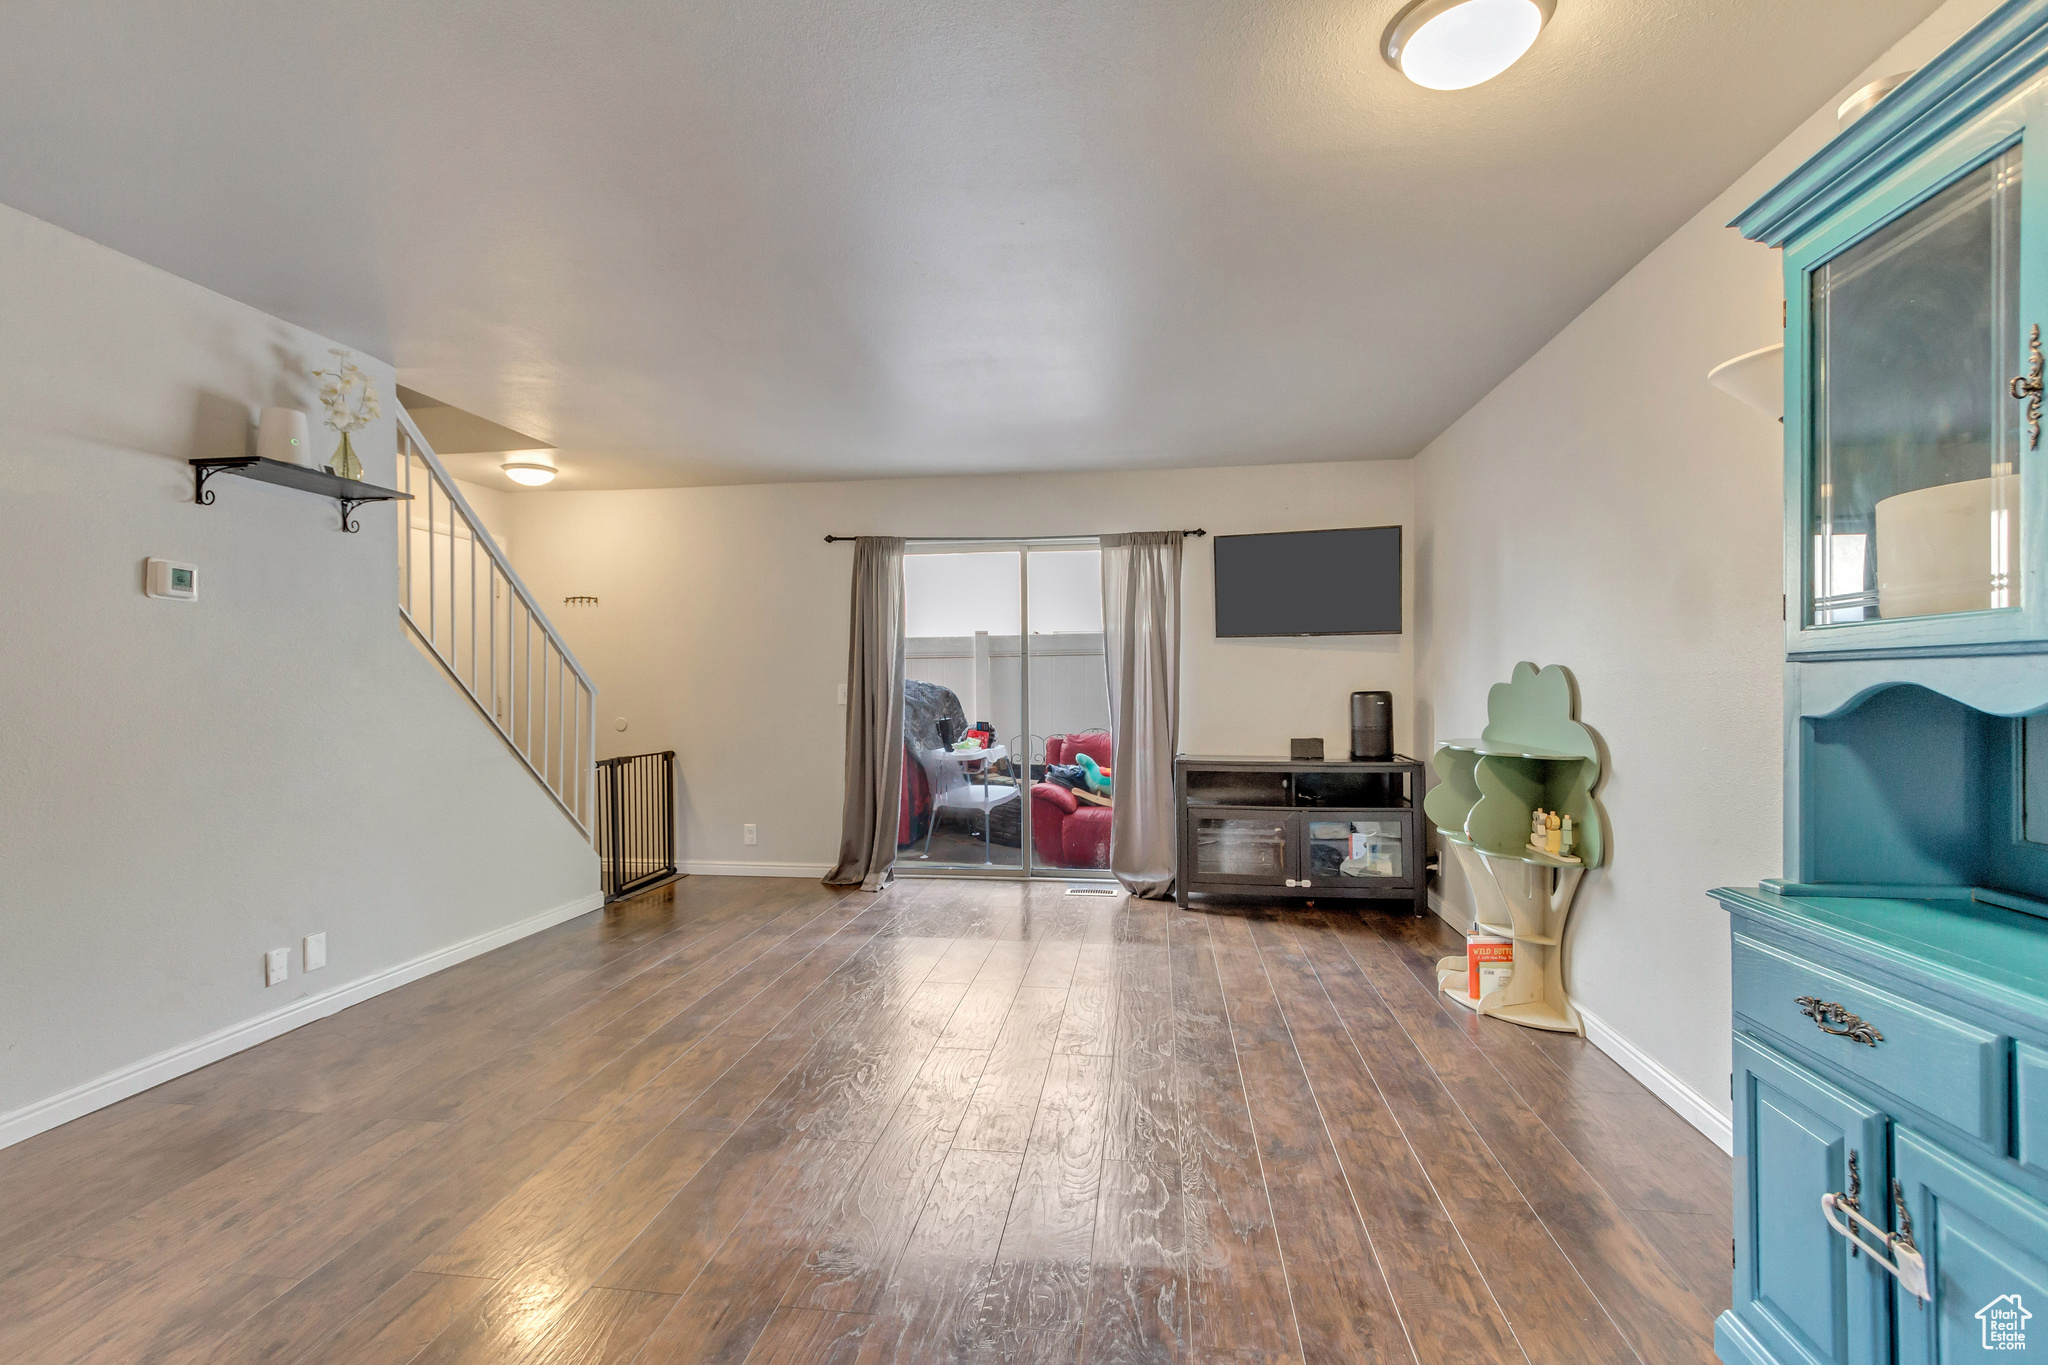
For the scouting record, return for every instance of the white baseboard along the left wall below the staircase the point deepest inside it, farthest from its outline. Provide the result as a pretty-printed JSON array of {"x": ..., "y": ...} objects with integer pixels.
[{"x": 163, "y": 1067}]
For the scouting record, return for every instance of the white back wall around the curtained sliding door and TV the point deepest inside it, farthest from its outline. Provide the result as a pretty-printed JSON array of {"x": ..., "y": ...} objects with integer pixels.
[{"x": 722, "y": 621}]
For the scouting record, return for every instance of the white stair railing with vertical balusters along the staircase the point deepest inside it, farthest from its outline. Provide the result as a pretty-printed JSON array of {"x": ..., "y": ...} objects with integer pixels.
[{"x": 470, "y": 611}]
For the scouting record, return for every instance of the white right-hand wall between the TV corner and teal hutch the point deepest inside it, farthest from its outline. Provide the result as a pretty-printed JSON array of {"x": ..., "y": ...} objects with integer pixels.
[{"x": 1609, "y": 511}]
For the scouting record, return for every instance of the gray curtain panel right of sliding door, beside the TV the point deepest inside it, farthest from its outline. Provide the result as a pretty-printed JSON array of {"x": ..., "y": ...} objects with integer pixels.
[{"x": 1142, "y": 652}]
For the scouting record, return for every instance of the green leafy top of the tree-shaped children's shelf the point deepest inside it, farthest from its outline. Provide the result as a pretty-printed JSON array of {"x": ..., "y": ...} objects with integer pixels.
[{"x": 1533, "y": 754}]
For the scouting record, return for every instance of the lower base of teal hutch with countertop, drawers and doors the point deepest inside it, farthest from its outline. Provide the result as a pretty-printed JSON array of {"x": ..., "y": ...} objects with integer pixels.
[{"x": 1861, "y": 1032}]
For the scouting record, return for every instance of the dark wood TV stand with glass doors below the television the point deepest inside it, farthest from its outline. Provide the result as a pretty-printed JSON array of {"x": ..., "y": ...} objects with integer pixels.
[{"x": 1283, "y": 828}]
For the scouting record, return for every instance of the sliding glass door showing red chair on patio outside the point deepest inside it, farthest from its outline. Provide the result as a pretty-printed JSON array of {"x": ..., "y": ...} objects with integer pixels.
[{"x": 1007, "y": 713}]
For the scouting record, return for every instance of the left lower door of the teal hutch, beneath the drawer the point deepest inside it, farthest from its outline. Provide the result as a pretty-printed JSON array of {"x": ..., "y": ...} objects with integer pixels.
[{"x": 1799, "y": 1294}]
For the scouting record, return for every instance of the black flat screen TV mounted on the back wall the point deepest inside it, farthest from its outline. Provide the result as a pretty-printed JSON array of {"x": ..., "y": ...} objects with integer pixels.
[{"x": 1310, "y": 582}]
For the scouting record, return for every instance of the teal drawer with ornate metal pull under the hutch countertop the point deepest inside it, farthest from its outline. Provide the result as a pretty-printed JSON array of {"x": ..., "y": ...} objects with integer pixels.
[{"x": 1945, "y": 1067}]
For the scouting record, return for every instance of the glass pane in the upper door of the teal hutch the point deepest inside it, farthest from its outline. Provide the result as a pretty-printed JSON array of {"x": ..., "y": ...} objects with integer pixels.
[{"x": 1916, "y": 339}]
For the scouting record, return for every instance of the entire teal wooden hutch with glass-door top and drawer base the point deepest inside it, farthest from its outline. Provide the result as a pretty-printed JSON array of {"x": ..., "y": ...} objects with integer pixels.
[{"x": 1891, "y": 994}]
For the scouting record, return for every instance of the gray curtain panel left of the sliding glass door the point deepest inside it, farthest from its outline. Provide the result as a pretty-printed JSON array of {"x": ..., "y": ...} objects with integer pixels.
[{"x": 873, "y": 717}]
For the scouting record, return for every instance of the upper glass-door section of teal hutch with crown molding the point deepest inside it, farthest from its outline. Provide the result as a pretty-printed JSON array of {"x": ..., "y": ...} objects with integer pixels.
[{"x": 1916, "y": 261}]
